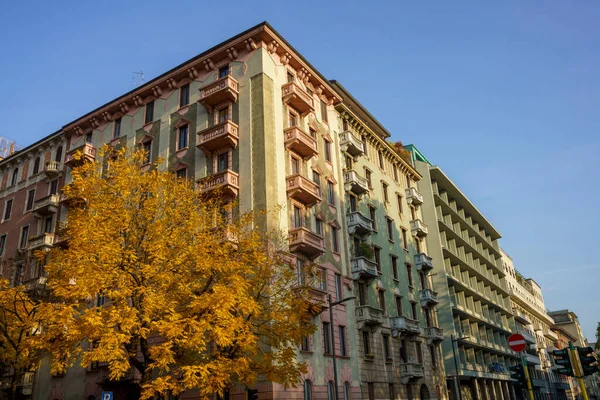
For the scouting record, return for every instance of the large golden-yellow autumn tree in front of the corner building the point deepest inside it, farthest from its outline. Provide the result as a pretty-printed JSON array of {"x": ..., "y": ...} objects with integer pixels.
[{"x": 195, "y": 294}]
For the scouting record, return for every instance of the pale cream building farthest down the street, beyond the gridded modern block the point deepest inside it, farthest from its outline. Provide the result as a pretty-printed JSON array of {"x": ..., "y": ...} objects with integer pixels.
[{"x": 533, "y": 322}]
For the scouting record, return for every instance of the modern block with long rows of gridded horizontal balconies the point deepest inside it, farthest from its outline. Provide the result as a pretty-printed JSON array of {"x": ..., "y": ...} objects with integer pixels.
[{"x": 475, "y": 310}]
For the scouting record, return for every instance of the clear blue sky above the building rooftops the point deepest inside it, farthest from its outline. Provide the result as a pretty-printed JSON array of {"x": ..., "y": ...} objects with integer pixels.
[{"x": 502, "y": 95}]
